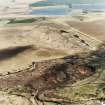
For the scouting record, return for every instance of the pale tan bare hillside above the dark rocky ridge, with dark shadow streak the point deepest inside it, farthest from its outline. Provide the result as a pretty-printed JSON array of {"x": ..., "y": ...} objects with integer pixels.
[{"x": 48, "y": 38}]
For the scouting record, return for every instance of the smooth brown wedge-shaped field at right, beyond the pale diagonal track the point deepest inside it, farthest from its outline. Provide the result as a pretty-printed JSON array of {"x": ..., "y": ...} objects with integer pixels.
[{"x": 93, "y": 28}]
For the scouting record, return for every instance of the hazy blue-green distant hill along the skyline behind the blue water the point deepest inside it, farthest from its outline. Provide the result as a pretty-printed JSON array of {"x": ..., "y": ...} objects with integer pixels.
[{"x": 65, "y": 2}]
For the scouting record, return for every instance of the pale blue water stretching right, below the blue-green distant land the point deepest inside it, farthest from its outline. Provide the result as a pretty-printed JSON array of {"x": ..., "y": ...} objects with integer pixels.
[{"x": 65, "y": 10}]
